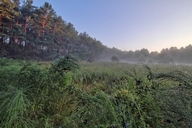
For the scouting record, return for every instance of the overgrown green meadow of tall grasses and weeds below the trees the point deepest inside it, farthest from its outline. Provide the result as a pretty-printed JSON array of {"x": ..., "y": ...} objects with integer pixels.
[{"x": 71, "y": 94}]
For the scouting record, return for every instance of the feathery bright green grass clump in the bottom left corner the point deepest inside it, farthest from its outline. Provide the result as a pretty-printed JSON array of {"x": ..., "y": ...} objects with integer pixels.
[{"x": 14, "y": 106}]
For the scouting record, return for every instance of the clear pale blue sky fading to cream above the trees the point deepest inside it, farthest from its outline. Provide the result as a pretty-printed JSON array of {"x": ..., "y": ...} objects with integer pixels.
[{"x": 129, "y": 24}]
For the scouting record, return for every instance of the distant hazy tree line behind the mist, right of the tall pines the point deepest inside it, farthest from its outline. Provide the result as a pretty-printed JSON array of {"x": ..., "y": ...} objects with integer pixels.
[{"x": 172, "y": 55}]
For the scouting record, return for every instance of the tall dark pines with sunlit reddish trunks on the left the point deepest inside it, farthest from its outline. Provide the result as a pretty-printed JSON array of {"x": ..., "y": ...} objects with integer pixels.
[{"x": 30, "y": 32}]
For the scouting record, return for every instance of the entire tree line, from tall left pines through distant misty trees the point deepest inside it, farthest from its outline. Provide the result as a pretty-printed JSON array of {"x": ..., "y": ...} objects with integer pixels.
[{"x": 30, "y": 32}]
